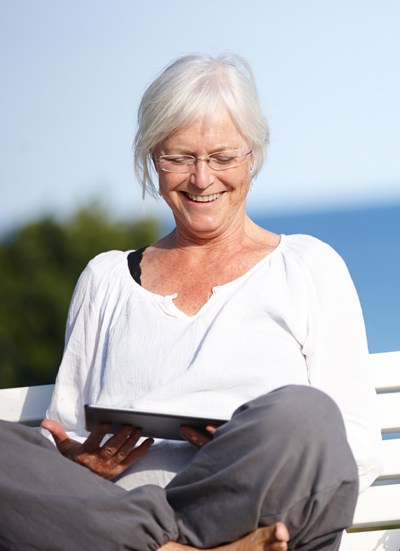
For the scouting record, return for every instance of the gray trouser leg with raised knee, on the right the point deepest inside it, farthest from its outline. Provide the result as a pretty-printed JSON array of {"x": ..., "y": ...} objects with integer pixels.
[{"x": 282, "y": 457}]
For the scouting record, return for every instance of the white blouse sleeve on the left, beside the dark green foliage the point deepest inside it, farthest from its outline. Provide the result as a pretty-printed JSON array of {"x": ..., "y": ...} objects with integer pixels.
[{"x": 72, "y": 385}]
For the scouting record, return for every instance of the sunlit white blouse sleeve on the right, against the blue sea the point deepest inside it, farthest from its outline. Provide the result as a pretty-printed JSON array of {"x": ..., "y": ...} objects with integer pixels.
[{"x": 337, "y": 357}]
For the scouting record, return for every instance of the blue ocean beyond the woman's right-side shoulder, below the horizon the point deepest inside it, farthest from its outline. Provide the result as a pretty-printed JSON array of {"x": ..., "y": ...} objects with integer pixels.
[{"x": 368, "y": 239}]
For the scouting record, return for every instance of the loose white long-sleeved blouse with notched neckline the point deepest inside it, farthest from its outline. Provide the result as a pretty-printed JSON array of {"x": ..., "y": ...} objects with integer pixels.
[{"x": 294, "y": 318}]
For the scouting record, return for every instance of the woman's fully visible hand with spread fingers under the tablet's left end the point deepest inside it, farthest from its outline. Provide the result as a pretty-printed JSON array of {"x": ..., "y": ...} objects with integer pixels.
[{"x": 109, "y": 460}]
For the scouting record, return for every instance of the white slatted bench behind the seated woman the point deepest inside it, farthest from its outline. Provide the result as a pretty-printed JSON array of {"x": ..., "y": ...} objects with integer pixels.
[{"x": 377, "y": 518}]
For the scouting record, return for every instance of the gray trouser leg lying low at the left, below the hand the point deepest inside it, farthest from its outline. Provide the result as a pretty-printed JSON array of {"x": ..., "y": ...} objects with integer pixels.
[{"x": 49, "y": 503}]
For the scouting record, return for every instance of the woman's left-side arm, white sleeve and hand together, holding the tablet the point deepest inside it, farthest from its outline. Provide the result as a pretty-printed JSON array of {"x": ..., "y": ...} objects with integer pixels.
[{"x": 74, "y": 385}]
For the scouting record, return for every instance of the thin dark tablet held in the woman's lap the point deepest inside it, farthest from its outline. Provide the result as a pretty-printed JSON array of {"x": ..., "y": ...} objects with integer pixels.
[{"x": 154, "y": 425}]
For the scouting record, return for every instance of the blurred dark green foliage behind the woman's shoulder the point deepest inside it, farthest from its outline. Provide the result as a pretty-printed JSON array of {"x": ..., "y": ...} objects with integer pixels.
[{"x": 39, "y": 266}]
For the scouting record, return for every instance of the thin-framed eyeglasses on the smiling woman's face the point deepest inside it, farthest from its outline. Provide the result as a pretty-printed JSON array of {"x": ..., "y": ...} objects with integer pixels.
[{"x": 223, "y": 160}]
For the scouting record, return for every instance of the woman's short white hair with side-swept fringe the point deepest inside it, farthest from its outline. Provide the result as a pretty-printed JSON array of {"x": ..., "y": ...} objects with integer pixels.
[{"x": 194, "y": 87}]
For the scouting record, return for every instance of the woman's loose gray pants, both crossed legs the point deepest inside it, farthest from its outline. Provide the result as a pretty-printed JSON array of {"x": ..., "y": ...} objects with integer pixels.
[{"x": 283, "y": 456}]
